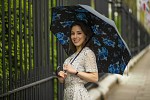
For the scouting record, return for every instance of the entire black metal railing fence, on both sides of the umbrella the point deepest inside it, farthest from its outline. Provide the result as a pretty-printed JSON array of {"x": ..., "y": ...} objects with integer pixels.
[{"x": 29, "y": 53}]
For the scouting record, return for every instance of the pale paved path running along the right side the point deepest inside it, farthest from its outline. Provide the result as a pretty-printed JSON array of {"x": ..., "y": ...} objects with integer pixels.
[{"x": 136, "y": 86}]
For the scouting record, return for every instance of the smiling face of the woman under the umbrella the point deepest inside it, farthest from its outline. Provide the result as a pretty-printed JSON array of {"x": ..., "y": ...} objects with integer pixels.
[{"x": 77, "y": 36}]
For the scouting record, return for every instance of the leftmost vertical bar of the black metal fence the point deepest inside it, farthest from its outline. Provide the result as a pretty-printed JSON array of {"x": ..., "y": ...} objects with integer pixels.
[{"x": 3, "y": 48}]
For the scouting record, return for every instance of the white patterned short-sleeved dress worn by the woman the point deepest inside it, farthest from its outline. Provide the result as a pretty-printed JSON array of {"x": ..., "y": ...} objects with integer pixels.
[{"x": 74, "y": 86}]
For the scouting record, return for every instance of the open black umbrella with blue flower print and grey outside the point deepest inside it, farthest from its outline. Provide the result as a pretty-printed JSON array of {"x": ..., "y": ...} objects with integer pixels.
[{"x": 110, "y": 49}]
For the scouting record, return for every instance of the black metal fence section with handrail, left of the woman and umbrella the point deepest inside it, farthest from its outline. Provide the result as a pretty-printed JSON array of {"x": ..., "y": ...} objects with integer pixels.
[{"x": 28, "y": 51}]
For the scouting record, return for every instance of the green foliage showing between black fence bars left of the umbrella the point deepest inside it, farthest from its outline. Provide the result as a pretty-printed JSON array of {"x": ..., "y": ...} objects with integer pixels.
[{"x": 17, "y": 40}]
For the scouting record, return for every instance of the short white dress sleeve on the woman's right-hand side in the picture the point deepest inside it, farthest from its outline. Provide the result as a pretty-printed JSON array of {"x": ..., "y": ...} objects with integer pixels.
[{"x": 90, "y": 61}]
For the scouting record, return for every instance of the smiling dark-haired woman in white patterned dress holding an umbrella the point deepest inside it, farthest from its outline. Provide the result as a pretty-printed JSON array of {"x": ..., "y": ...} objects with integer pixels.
[{"x": 84, "y": 67}]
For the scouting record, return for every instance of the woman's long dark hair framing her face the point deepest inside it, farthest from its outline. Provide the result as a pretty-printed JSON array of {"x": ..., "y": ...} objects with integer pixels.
[{"x": 86, "y": 30}]
